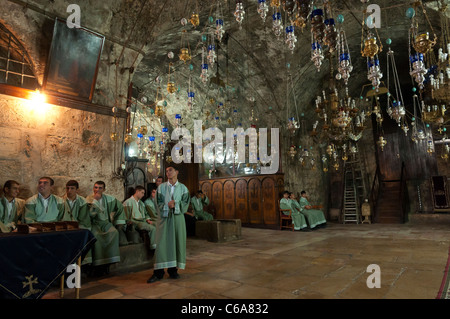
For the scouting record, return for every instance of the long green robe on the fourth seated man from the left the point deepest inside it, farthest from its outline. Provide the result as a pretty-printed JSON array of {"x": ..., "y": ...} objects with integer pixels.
[{"x": 105, "y": 214}]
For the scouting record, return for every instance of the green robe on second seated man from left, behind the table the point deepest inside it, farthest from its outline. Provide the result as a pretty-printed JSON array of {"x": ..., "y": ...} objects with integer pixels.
[{"x": 37, "y": 211}]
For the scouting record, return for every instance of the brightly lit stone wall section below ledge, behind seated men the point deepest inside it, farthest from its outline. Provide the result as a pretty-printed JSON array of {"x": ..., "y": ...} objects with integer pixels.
[{"x": 59, "y": 142}]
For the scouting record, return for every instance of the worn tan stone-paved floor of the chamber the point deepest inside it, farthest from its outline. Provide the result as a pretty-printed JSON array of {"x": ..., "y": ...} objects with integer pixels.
[{"x": 329, "y": 263}]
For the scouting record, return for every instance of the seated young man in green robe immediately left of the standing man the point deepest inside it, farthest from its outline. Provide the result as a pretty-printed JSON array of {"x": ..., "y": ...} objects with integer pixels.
[{"x": 137, "y": 216}]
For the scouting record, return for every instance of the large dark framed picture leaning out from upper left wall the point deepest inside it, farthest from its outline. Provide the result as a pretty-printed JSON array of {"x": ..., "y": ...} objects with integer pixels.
[{"x": 73, "y": 62}]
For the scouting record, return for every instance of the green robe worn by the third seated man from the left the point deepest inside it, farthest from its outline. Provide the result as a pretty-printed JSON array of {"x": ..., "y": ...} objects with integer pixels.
[{"x": 78, "y": 211}]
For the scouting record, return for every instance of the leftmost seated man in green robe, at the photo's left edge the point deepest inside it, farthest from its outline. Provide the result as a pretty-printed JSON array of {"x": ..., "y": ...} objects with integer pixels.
[{"x": 11, "y": 207}]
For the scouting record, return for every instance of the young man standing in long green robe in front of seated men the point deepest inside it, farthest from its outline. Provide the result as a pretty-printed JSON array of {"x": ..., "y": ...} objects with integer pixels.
[{"x": 173, "y": 202}]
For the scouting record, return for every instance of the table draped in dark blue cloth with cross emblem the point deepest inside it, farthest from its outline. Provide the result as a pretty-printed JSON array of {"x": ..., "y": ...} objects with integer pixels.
[{"x": 30, "y": 263}]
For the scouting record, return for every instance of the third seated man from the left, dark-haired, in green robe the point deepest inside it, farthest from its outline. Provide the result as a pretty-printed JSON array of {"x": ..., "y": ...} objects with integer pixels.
[{"x": 76, "y": 209}]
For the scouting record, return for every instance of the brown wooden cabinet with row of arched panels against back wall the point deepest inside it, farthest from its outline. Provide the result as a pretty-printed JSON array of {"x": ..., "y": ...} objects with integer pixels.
[{"x": 252, "y": 199}]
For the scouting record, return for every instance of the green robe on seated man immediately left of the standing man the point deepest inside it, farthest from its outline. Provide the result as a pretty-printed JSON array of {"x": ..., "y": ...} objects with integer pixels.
[{"x": 136, "y": 212}]
